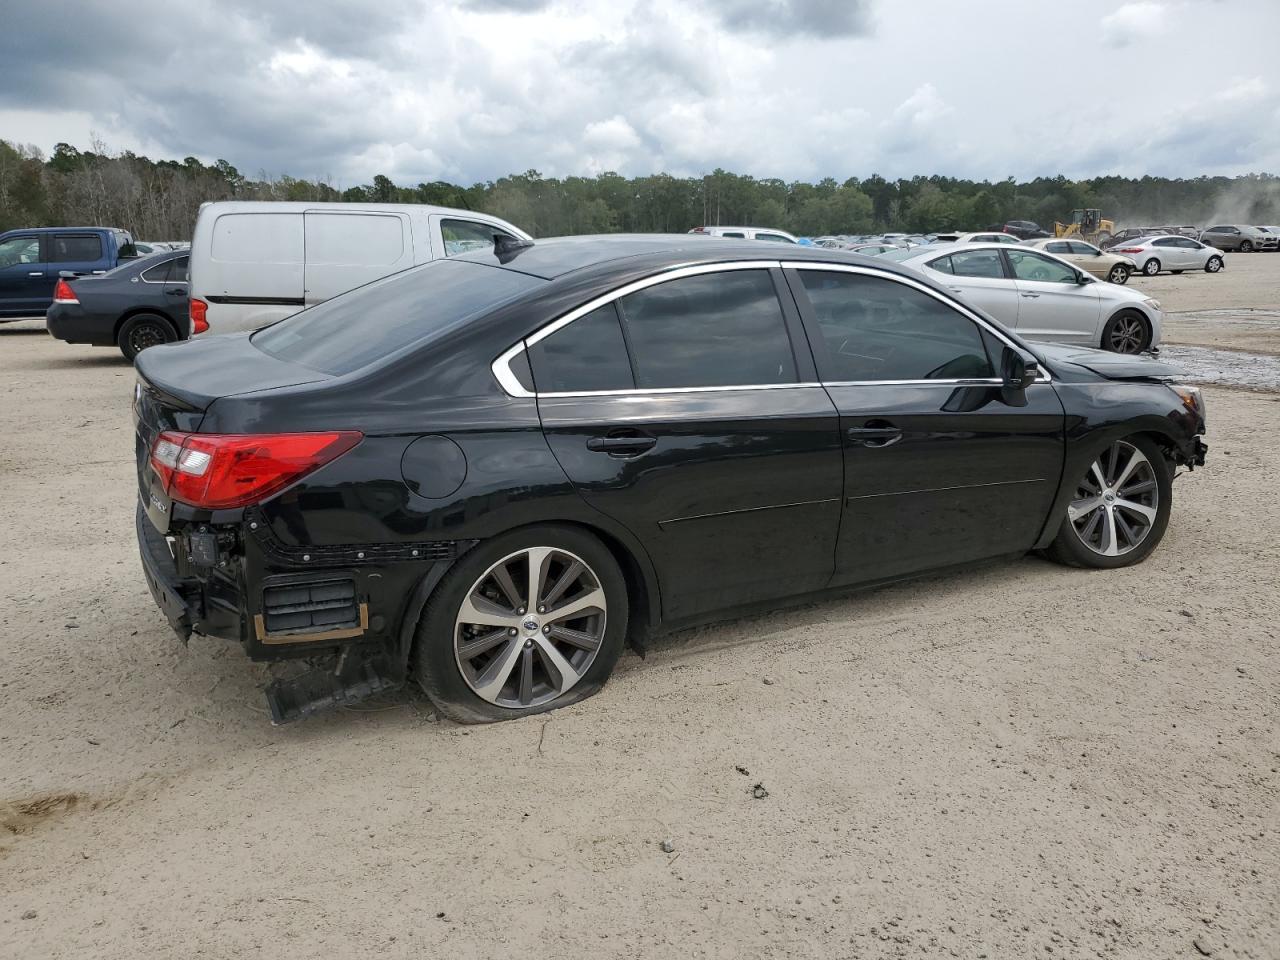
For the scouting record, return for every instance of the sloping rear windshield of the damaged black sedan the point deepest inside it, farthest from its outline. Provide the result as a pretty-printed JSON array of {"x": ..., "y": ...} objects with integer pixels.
[{"x": 376, "y": 321}]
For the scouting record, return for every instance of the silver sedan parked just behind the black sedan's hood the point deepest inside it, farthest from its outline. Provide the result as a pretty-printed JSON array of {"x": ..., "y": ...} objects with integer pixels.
[{"x": 1041, "y": 296}]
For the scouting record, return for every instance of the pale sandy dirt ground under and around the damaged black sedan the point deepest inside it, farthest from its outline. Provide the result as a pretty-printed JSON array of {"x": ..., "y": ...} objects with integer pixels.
[{"x": 1018, "y": 761}]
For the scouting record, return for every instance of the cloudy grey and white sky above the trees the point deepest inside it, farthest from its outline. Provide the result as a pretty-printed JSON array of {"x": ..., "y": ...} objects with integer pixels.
[{"x": 469, "y": 90}]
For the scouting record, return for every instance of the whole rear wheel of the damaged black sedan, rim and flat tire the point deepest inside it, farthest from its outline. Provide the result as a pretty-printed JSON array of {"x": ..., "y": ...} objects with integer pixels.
[{"x": 527, "y": 623}]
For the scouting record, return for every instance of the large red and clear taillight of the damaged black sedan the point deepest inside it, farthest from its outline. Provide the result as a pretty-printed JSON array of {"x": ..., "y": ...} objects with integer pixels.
[{"x": 218, "y": 472}]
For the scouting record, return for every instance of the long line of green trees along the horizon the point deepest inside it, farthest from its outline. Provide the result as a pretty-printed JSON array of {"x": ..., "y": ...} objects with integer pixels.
[{"x": 158, "y": 199}]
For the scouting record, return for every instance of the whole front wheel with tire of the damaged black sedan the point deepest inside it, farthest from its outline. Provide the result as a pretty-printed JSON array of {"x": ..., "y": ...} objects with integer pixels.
[{"x": 1119, "y": 510}]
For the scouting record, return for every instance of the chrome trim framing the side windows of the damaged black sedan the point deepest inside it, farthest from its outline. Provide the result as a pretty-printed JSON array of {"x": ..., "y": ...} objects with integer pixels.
[{"x": 509, "y": 382}]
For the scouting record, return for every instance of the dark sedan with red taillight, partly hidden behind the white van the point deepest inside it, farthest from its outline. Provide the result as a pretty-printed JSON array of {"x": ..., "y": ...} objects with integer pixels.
[{"x": 140, "y": 304}]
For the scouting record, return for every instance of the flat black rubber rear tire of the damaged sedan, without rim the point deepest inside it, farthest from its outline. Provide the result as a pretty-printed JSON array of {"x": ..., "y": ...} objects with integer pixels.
[{"x": 436, "y": 664}]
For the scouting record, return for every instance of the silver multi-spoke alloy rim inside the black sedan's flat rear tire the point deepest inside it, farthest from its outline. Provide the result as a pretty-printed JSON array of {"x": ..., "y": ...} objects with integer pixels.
[{"x": 531, "y": 628}]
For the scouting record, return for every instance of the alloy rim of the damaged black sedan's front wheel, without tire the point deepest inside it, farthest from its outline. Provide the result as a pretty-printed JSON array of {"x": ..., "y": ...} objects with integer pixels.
[{"x": 1117, "y": 501}]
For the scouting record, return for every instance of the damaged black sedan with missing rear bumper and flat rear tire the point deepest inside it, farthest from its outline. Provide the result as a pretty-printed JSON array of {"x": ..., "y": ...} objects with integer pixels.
[{"x": 493, "y": 472}]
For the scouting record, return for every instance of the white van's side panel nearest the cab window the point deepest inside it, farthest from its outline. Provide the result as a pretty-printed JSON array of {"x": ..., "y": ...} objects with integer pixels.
[{"x": 348, "y": 250}]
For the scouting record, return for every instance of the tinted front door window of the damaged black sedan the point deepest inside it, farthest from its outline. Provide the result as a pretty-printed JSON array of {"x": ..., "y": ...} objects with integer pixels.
[{"x": 877, "y": 330}]
